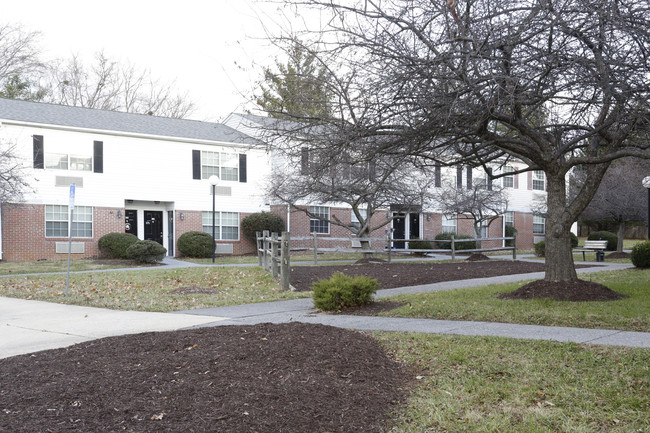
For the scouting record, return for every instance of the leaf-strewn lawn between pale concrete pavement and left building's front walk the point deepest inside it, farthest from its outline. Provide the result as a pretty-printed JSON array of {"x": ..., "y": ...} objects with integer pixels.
[{"x": 151, "y": 290}]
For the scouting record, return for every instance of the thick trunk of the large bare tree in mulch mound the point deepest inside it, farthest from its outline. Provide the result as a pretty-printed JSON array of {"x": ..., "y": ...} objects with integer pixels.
[{"x": 559, "y": 255}]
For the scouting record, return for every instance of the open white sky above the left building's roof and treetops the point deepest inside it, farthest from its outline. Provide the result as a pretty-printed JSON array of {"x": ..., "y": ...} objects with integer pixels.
[{"x": 213, "y": 49}]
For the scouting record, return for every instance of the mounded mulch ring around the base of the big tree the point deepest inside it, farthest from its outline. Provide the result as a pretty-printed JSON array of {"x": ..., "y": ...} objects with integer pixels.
[{"x": 574, "y": 291}]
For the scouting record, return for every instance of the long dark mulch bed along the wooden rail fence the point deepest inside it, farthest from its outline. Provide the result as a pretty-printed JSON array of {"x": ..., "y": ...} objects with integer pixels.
[{"x": 390, "y": 275}]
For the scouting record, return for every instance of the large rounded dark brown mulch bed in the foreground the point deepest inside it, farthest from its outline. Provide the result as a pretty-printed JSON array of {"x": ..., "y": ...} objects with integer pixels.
[{"x": 264, "y": 378}]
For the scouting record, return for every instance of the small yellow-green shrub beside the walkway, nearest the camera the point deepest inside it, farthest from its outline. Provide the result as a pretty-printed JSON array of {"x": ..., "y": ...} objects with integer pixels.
[{"x": 341, "y": 291}]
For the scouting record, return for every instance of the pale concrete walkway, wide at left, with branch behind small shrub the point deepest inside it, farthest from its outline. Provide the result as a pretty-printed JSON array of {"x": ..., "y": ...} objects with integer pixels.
[{"x": 29, "y": 326}]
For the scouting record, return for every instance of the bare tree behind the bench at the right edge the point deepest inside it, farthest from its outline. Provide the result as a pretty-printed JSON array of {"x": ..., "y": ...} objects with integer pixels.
[{"x": 621, "y": 198}]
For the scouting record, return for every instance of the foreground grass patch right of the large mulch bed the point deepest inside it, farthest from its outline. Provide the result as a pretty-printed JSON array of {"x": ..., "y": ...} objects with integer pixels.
[{"x": 488, "y": 384}]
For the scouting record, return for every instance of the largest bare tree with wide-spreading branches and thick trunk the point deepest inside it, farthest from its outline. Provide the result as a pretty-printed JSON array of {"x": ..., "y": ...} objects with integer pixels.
[{"x": 556, "y": 84}]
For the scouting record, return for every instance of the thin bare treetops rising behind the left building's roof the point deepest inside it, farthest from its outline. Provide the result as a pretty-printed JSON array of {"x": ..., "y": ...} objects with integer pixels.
[{"x": 109, "y": 85}]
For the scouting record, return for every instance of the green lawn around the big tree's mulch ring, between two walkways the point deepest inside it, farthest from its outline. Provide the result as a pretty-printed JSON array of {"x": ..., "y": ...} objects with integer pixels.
[{"x": 482, "y": 304}]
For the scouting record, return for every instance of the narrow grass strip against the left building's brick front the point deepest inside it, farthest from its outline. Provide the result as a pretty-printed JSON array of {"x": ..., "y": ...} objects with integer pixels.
[{"x": 9, "y": 268}]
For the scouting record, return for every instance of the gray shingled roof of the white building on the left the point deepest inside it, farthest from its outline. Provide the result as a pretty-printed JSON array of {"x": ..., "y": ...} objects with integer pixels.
[{"x": 63, "y": 115}]
